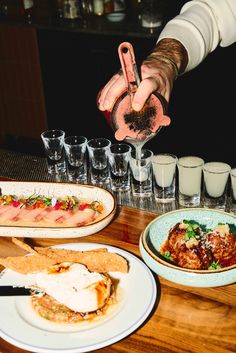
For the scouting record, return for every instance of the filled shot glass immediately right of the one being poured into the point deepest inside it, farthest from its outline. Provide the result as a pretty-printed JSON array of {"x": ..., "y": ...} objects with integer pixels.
[{"x": 164, "y": 172}]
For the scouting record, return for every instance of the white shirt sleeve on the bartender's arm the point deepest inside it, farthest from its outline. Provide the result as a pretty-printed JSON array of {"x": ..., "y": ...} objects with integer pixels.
[{"x": 201, "y": 26}]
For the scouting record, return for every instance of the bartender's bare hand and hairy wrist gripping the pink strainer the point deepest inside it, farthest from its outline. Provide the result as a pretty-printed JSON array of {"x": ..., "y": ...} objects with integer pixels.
[{"x": 158, "y": 73}]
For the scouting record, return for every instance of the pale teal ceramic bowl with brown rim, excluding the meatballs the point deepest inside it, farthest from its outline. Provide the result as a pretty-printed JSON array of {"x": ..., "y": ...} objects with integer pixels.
[{"x": 155, "y": 235}]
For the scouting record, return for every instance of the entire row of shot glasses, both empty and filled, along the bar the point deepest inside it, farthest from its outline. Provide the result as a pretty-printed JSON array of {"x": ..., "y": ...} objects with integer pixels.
[{"x": 188, "y": 180}]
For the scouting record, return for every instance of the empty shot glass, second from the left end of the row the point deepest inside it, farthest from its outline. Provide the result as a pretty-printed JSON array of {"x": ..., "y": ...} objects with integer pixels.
[{"x": 76, "y": 148}]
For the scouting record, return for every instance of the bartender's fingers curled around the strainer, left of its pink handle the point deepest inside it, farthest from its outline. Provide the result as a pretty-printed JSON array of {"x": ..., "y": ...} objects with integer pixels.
[{"x": 109, "y": 94}]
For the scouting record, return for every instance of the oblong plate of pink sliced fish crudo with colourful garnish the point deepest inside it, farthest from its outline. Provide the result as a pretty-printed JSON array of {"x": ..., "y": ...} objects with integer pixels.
[{"x": 54, "y": 210}]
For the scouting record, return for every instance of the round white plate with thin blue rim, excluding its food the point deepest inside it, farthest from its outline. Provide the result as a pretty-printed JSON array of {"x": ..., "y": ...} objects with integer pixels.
[{"x": 21, "y": 327}]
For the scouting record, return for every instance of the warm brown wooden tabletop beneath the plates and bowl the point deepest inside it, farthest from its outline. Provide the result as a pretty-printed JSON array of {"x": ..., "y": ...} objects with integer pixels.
[{"x": 184, "y": 319}]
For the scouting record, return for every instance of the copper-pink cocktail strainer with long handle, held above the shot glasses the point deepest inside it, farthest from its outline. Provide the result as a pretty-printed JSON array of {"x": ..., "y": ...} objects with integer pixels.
[{"x": 126, "y": 122}]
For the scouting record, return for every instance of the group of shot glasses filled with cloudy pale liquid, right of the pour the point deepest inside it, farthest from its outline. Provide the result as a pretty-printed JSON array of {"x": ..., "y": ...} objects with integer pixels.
[{"x": 194, "y": 182}]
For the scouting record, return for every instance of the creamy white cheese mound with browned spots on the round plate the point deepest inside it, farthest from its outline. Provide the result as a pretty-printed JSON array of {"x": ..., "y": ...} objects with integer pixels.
[{"x": 75, "y": 286}]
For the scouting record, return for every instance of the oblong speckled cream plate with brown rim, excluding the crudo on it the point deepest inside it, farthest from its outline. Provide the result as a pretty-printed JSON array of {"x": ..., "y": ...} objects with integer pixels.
[{"x": 83, "y": 192}]
